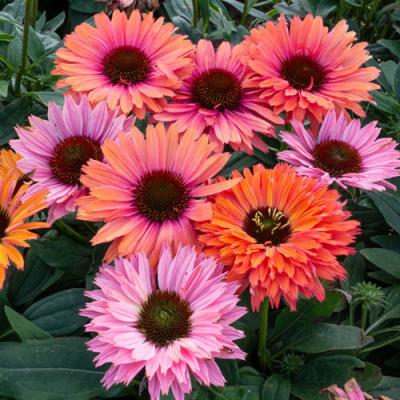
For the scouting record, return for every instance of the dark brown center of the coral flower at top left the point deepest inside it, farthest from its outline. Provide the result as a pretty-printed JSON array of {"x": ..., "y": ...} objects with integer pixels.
[{"x": 127, "y": 65}]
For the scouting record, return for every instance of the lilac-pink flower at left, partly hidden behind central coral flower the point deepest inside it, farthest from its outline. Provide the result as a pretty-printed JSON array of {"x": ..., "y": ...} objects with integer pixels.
[{"x": 54, "y": 151}]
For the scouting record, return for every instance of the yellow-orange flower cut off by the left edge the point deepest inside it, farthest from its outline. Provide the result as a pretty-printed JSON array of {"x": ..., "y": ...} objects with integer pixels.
[{"x": 15, "y": 231}]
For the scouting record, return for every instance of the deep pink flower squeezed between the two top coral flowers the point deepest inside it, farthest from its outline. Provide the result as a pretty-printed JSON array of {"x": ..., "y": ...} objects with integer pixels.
[{"x": 217, "y": 99}]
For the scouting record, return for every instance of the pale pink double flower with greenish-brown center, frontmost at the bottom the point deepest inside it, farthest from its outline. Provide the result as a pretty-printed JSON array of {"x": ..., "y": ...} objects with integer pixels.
[{"x": 172, "y": 329}]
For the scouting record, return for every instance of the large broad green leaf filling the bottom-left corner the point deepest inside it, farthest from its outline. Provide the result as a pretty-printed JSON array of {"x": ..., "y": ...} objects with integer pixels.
[{"x": 50, "y": 369}]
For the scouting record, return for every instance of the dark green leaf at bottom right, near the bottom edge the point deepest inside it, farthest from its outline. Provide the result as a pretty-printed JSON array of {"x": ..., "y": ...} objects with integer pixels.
[{"x": 322, "y": 372}]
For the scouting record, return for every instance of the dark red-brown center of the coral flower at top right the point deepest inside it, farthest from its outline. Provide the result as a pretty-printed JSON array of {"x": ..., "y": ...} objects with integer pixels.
[{"x": 302, "y": 72}]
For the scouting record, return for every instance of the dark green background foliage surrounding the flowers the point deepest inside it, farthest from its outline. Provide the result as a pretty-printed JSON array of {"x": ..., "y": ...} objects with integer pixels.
[{"x": 42, "y": 342}]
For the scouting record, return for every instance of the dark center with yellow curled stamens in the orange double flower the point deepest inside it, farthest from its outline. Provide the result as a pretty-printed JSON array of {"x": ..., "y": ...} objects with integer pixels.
[{"x": 268, "y": 226}]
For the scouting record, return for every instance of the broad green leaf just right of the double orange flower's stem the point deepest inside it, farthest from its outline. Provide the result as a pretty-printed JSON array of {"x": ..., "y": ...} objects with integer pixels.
[{"x": 319, "y": 338}]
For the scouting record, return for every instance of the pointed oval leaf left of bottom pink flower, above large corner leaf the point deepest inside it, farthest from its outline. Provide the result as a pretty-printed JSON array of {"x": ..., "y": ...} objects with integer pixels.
[{"x": 58, "y": 314}]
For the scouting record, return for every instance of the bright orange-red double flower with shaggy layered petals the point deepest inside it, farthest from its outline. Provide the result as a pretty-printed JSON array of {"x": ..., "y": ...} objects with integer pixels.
[{"x": 279, "y": 233}]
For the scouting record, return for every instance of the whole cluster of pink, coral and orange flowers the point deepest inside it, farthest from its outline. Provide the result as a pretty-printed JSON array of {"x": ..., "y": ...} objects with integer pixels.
[{"x": 184, "y": 241}]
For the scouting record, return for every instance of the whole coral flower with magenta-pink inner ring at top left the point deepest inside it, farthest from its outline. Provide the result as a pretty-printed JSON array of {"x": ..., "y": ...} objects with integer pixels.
[{"x": 132, "y": 63}]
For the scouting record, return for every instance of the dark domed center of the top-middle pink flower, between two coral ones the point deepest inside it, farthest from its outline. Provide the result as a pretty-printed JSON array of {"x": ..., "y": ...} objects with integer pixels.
[{"x": 217, "y": 89}]
